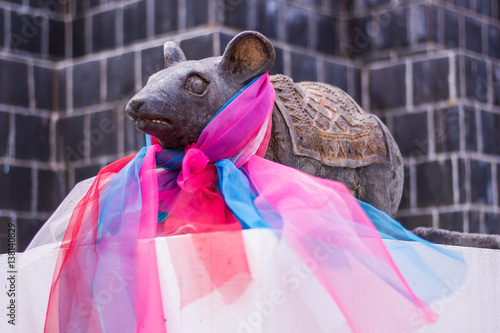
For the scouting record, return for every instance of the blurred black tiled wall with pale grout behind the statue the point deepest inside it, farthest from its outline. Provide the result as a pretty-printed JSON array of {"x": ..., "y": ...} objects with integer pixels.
[{"x": 429, "y": 69}]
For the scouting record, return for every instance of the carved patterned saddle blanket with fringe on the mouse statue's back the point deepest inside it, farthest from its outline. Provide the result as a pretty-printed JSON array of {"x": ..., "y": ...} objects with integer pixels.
[{"x": 326, "y": 124}]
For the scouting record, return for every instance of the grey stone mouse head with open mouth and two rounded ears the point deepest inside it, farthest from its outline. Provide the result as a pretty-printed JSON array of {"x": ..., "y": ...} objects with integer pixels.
[{"x": 178, "y": 101}]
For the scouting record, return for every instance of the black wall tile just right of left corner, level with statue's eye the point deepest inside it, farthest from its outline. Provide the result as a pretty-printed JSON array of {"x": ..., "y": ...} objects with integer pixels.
[{"x": 86, "y": 84}]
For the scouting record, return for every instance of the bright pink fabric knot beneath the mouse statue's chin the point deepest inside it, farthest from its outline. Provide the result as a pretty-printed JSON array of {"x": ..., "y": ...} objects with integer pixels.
[{"x": 196, "y": 173}]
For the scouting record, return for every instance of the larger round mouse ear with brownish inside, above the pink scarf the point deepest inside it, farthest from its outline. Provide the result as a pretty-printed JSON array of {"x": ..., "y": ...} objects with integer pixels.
[{"x": 247, "y": 56}]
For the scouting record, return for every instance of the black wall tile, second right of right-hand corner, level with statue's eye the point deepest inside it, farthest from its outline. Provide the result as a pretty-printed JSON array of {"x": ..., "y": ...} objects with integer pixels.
[{"x": 430, "y": 81}]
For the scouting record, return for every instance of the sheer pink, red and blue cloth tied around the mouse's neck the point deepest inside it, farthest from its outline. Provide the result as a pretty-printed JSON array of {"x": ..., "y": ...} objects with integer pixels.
[{"x": 222, "y": 183}]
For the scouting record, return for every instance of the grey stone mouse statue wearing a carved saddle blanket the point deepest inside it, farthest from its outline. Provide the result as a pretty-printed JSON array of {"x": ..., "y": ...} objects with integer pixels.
[{"x": 317, "y": 128}]
